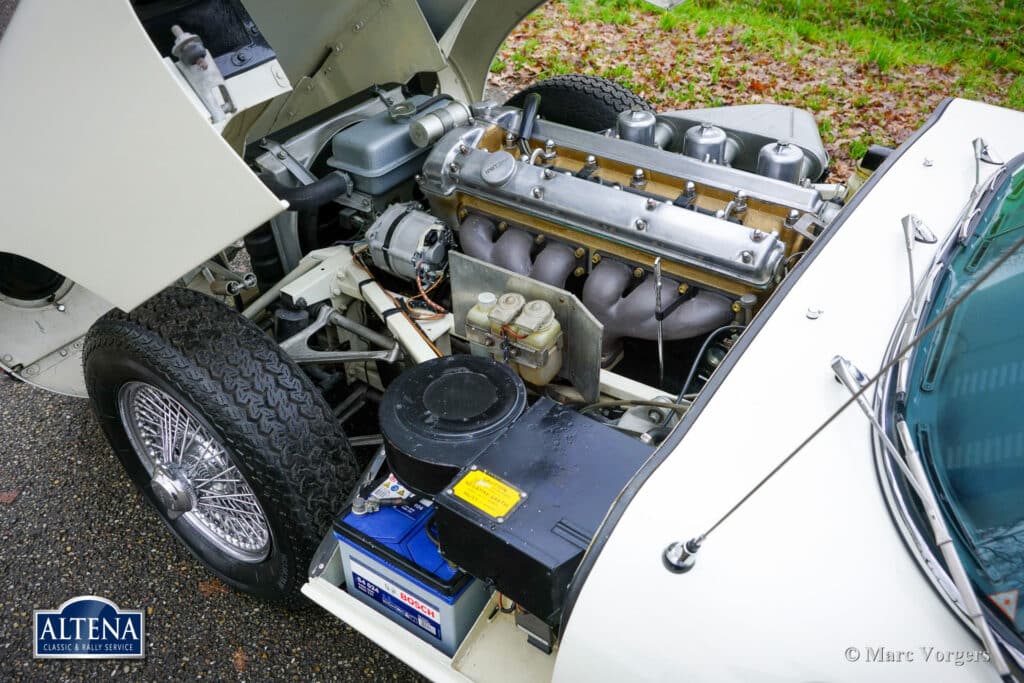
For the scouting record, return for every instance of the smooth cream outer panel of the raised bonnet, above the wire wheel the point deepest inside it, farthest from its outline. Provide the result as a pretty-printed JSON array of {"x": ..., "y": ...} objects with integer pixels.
[{"x": 111, "y": 175}]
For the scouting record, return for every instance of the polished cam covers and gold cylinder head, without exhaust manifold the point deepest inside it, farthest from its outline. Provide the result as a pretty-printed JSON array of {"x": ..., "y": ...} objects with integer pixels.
[{"x": 712, "y": 226}]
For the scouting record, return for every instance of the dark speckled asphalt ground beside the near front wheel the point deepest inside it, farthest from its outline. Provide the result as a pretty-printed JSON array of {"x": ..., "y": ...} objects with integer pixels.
[{"x": 78, "y": 527}]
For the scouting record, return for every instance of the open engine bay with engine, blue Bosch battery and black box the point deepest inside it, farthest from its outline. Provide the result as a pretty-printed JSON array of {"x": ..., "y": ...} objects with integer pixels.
[{"x": 519, "y": 312}]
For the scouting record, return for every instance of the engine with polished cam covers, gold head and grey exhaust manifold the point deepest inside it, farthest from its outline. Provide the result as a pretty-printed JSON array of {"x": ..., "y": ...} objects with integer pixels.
[{"x": 599, "y": 216}]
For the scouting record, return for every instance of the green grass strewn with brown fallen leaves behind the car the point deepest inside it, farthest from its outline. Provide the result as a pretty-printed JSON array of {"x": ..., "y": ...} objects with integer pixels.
[{"x": 871, "y": 71}]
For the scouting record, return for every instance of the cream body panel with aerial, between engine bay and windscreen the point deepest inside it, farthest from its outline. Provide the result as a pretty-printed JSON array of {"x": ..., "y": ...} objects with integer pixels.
[{"x": 813, "y": 565}]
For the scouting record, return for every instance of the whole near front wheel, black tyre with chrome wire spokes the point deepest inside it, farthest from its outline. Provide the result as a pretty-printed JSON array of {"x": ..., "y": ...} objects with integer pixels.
[{"x": 223, "y": 434}]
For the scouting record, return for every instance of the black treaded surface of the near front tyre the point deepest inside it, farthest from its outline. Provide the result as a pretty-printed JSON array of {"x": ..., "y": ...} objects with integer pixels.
[{"x": 266, "y": 409}]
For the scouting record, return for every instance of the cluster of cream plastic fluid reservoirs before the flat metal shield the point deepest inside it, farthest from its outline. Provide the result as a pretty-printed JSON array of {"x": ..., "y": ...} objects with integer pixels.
[{"x": 526, "y": 335}]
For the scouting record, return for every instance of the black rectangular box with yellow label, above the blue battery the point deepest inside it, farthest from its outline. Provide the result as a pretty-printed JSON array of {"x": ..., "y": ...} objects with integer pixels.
[{"x": 523, "y": 514}]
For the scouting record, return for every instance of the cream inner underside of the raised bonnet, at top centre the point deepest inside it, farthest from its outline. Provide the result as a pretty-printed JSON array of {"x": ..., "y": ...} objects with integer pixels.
[{"x": 332, "y": 50}]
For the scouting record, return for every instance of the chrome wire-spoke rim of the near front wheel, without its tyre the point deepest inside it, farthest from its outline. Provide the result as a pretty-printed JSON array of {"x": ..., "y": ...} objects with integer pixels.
[{"x": 192, "y": 475}]
